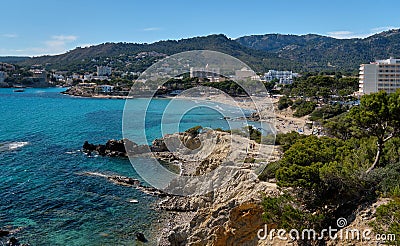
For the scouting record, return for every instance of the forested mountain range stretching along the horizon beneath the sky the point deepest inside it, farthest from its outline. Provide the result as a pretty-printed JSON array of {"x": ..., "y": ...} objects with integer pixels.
[{"x": 300, "y": 53}]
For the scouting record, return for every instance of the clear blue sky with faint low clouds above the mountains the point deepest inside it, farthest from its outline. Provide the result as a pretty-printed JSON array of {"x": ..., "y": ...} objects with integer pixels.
[{"x": 48, "y": 27}]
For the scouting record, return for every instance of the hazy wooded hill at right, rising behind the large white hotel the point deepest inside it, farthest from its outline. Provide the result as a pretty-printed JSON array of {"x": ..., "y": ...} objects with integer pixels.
[{"x": 317, "y": 52}]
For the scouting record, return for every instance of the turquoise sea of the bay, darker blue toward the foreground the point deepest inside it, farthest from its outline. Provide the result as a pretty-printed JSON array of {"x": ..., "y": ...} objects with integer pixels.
[{"x": 44, "y": 199}]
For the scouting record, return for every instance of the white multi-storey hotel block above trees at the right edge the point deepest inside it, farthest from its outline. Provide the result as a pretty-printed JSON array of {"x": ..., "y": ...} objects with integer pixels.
[{"x": 379, "y": 75}]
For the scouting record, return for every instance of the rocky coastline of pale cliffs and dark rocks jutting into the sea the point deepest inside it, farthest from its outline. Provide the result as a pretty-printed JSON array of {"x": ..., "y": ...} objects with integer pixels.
[{"x": 230, "y": 215}]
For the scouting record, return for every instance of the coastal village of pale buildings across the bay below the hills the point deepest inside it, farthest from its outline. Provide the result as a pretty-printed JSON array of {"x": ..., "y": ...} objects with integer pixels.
[{"x": 106, "y": 81}]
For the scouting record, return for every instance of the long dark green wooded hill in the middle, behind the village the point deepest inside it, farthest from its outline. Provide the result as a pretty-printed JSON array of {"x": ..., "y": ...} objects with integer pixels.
[{"x": 82, "y": 58}]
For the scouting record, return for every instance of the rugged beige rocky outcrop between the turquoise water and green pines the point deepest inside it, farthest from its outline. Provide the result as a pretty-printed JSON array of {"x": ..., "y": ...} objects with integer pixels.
[{"x": 228, "y": 215}]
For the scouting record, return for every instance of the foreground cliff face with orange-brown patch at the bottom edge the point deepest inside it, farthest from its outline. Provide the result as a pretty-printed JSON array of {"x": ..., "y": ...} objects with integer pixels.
[{"x": 232, "y": 218}]
